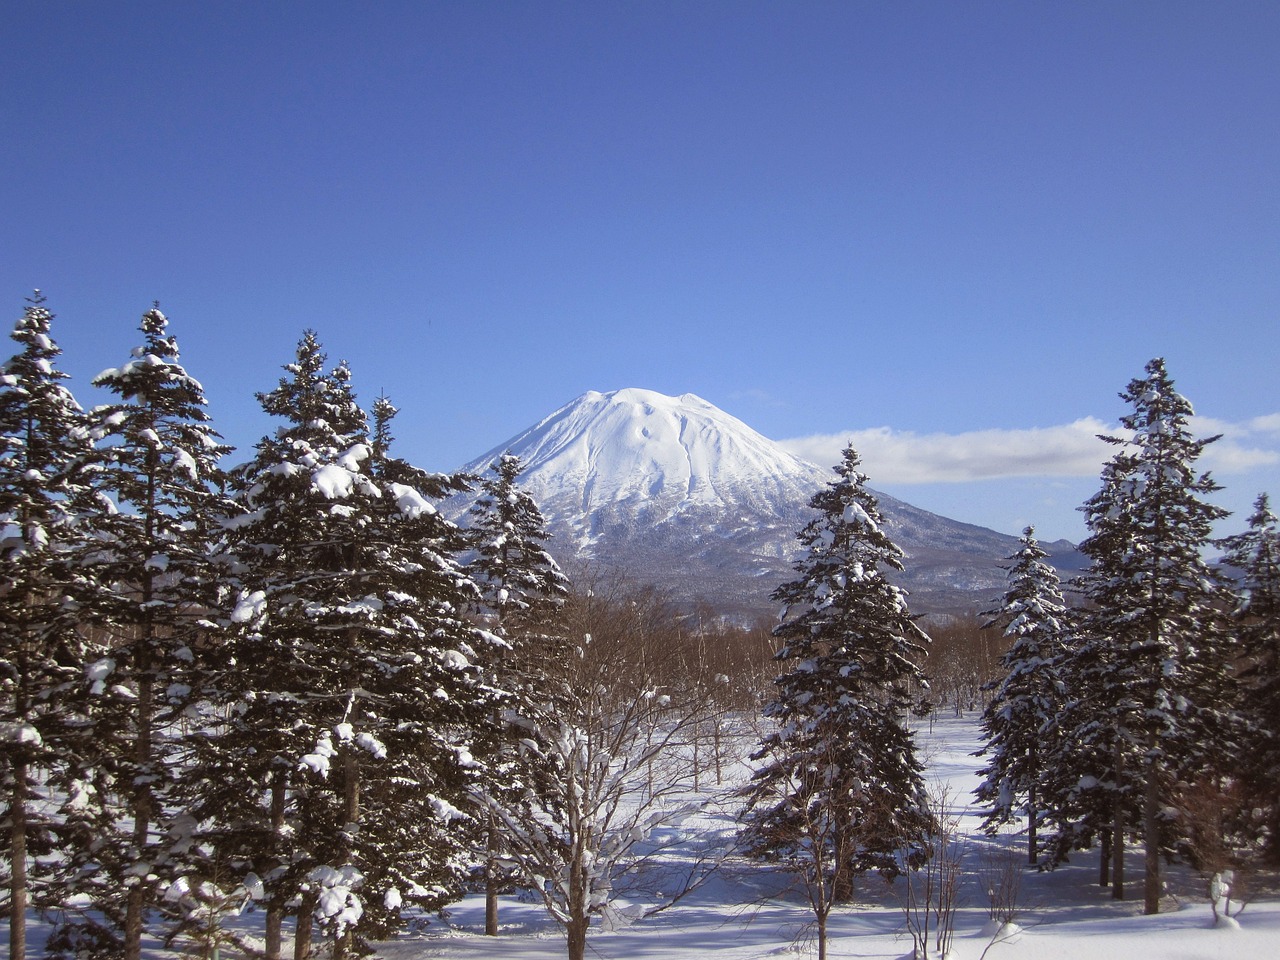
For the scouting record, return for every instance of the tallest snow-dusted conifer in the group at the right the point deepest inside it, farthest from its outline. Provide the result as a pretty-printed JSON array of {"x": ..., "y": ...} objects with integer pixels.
[{"x": 1156, "y": 664}]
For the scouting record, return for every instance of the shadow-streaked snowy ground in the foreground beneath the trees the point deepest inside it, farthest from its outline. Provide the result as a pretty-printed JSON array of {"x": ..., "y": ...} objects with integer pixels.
[{"x": 751, "y": 912}]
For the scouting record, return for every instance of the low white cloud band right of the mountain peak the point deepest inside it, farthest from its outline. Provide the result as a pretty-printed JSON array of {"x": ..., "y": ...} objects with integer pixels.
[{"x": 1071, "y": 450}]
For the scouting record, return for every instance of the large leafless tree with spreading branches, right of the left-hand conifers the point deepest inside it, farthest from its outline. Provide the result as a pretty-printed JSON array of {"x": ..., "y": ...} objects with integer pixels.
[{"x": 619, "y": 770}]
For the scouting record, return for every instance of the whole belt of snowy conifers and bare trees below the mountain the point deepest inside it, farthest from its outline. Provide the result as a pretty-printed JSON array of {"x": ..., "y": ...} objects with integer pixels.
[{"x": 292, "y": 688}]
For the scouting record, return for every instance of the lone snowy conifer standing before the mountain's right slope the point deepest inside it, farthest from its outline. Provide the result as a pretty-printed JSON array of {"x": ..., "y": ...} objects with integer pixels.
[{"x": 842, "y": 790}]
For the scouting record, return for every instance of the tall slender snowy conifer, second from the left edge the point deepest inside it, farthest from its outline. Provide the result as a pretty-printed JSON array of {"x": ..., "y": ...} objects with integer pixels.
[{"x": 154, "y": 564}]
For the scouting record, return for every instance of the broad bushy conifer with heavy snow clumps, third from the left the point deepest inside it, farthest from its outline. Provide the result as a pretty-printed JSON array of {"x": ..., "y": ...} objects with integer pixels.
[{"x": 354, "y": 721}]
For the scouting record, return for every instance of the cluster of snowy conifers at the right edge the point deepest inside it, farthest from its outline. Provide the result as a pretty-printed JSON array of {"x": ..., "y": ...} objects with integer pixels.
[{"x": 1150, "y": 710}]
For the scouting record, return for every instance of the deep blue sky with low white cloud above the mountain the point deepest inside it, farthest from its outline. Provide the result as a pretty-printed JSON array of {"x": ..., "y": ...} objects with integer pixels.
[{"x": 950, "y": 232}]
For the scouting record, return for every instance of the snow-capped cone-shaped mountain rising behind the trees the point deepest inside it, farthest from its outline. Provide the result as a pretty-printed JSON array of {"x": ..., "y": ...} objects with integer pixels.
[{"x": 675, "y": 492}]
